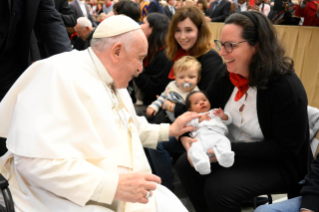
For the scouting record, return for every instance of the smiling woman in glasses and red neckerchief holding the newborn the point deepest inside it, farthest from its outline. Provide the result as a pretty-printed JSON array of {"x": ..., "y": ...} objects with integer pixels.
[{"x": 269, "y": 133}]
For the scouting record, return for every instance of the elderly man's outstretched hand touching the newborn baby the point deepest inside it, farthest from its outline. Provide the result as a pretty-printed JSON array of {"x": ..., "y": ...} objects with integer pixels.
[{"x": 178, "y": 127}]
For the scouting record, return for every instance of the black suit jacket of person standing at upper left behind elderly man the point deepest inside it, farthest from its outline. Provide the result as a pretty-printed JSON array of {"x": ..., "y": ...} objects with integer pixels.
[{"x": 16, "y": 24}]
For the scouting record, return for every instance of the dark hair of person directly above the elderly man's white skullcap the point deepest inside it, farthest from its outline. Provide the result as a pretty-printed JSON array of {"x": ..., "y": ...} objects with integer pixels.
[{"x": 128, "y": 8}]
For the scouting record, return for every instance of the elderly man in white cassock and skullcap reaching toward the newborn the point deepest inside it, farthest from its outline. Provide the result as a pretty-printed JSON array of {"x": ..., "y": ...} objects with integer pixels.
[{"x": 74, "y": 140}]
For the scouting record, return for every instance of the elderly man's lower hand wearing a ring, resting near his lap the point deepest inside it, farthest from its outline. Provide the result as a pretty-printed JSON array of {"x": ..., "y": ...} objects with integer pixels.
[{"x": 133, "y": 187}]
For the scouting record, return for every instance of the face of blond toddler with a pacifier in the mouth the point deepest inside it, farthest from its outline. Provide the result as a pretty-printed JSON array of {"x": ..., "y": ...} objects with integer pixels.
[{"x": 187, "y": 80}]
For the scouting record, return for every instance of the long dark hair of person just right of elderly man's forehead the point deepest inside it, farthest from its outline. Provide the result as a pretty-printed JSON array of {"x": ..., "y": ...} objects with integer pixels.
[{"x": 156, "y": 40}]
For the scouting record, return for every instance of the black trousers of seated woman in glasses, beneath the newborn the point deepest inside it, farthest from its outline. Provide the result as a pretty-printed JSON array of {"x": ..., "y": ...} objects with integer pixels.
[{"x": 224, "y": 189}]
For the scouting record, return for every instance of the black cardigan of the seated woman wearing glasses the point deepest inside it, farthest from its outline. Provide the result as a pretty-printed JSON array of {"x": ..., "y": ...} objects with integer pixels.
[{"x": 283, "y": 118}]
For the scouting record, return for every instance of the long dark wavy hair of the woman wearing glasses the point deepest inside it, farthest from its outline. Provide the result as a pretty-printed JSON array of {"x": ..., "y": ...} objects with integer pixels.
[{"x": 270, "y": 62}]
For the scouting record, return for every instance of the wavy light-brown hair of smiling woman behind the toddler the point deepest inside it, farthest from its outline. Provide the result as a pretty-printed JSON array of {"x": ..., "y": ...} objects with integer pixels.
[{"x": 203, "y": 43}]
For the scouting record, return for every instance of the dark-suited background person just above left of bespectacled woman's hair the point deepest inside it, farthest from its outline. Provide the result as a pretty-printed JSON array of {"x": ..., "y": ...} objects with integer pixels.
[{"x": 218, "y": 11}]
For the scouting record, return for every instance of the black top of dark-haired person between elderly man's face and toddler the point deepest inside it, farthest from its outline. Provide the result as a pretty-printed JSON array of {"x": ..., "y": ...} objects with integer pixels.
[{"x": 154, "y": 78}]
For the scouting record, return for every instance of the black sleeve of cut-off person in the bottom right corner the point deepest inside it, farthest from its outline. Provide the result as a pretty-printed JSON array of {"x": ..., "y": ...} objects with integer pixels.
[{"x": 310, "y": 190}]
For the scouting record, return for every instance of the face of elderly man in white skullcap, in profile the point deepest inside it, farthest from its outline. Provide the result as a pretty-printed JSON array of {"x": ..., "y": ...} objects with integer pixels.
[{"x": 131, "y": 63}]
